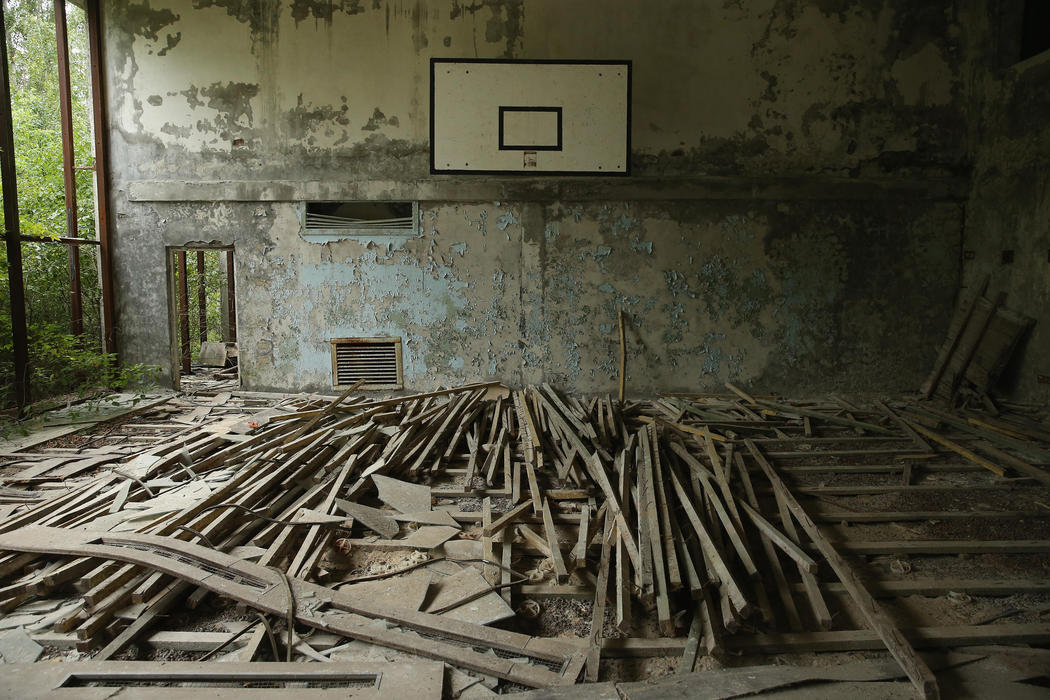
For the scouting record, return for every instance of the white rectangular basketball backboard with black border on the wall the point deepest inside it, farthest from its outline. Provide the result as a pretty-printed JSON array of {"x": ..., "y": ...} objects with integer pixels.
[{"x": 531, "y": 117}]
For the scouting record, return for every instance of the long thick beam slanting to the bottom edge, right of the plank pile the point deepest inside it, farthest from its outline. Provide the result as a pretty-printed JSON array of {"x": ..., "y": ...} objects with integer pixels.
[{"x": 897, "y": 644}]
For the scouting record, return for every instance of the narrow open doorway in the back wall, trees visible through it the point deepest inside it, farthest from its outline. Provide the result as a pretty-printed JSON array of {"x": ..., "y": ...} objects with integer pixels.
[{"x": 203, "y": 315}]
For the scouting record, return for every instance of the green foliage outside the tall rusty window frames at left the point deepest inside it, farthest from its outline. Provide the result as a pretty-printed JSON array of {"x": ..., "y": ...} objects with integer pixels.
[{"x": 59, "y": 364}]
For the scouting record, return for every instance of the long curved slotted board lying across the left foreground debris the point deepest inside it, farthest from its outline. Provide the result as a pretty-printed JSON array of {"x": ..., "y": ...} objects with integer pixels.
[{"x": 271, "y": 592}]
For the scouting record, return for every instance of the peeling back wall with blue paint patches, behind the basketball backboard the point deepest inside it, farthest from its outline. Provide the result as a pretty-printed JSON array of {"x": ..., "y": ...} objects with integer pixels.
[{"x": 793, "y": 221}]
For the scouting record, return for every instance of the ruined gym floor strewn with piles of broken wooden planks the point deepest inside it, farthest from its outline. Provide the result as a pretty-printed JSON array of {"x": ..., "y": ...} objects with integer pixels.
[{"x": 533, "y": 540}]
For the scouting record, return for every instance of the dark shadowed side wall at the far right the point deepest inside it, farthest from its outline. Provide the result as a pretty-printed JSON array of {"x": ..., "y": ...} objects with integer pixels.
[{"x": 1010, "y": 204}]
